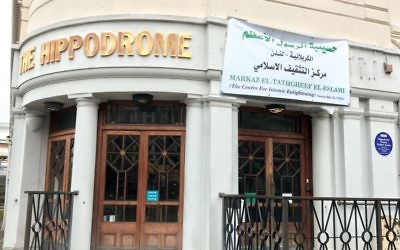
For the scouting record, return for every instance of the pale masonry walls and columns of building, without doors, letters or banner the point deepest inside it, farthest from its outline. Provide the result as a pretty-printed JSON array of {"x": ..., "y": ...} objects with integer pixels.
[{"x": 345, "y": 161}]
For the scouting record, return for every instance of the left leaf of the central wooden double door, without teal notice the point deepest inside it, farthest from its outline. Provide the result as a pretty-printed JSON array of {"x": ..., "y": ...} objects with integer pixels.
[{"x": 118, "y": 219}]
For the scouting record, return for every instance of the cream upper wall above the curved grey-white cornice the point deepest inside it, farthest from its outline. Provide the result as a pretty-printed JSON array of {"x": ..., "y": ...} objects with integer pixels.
[{"x": 373, "y": 22}]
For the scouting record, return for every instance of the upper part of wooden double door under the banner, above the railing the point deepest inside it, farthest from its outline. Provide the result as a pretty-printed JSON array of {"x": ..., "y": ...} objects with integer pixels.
[{"x": 269, "y": 166}]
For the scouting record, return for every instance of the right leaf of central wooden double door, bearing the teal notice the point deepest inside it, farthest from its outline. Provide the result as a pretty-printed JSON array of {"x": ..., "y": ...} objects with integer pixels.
[{"x": 164, "y": 186}]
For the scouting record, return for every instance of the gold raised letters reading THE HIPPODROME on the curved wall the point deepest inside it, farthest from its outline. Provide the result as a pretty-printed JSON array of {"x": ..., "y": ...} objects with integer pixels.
[{"x": 107, "y": 44}]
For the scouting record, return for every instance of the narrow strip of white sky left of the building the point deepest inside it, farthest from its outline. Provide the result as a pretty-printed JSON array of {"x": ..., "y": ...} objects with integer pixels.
[{"x": 5, "y": 59}]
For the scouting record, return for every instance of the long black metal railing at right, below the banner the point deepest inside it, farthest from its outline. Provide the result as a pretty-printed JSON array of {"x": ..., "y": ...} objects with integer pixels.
[{"x": 261, "y": 222}]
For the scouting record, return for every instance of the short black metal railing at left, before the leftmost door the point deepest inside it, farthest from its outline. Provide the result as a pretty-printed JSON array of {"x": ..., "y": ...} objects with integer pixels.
[{"x": 48, "y": 220}]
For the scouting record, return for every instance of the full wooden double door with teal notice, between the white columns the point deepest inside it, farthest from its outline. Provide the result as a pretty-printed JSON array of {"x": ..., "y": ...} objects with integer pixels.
[{"x": 141, "y": 190}]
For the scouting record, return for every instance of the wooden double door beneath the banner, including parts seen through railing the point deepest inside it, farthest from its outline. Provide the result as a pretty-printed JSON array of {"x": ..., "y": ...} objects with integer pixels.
[{"x": 275, "y": 167}]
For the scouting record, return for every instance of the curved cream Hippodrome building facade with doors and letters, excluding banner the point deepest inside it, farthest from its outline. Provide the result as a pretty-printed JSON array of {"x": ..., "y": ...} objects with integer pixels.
[{"x": 121, "y": 102}]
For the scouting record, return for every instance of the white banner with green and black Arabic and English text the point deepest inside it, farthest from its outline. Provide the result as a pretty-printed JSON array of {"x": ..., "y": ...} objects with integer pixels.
[{"x": 265, "y": 62}]
